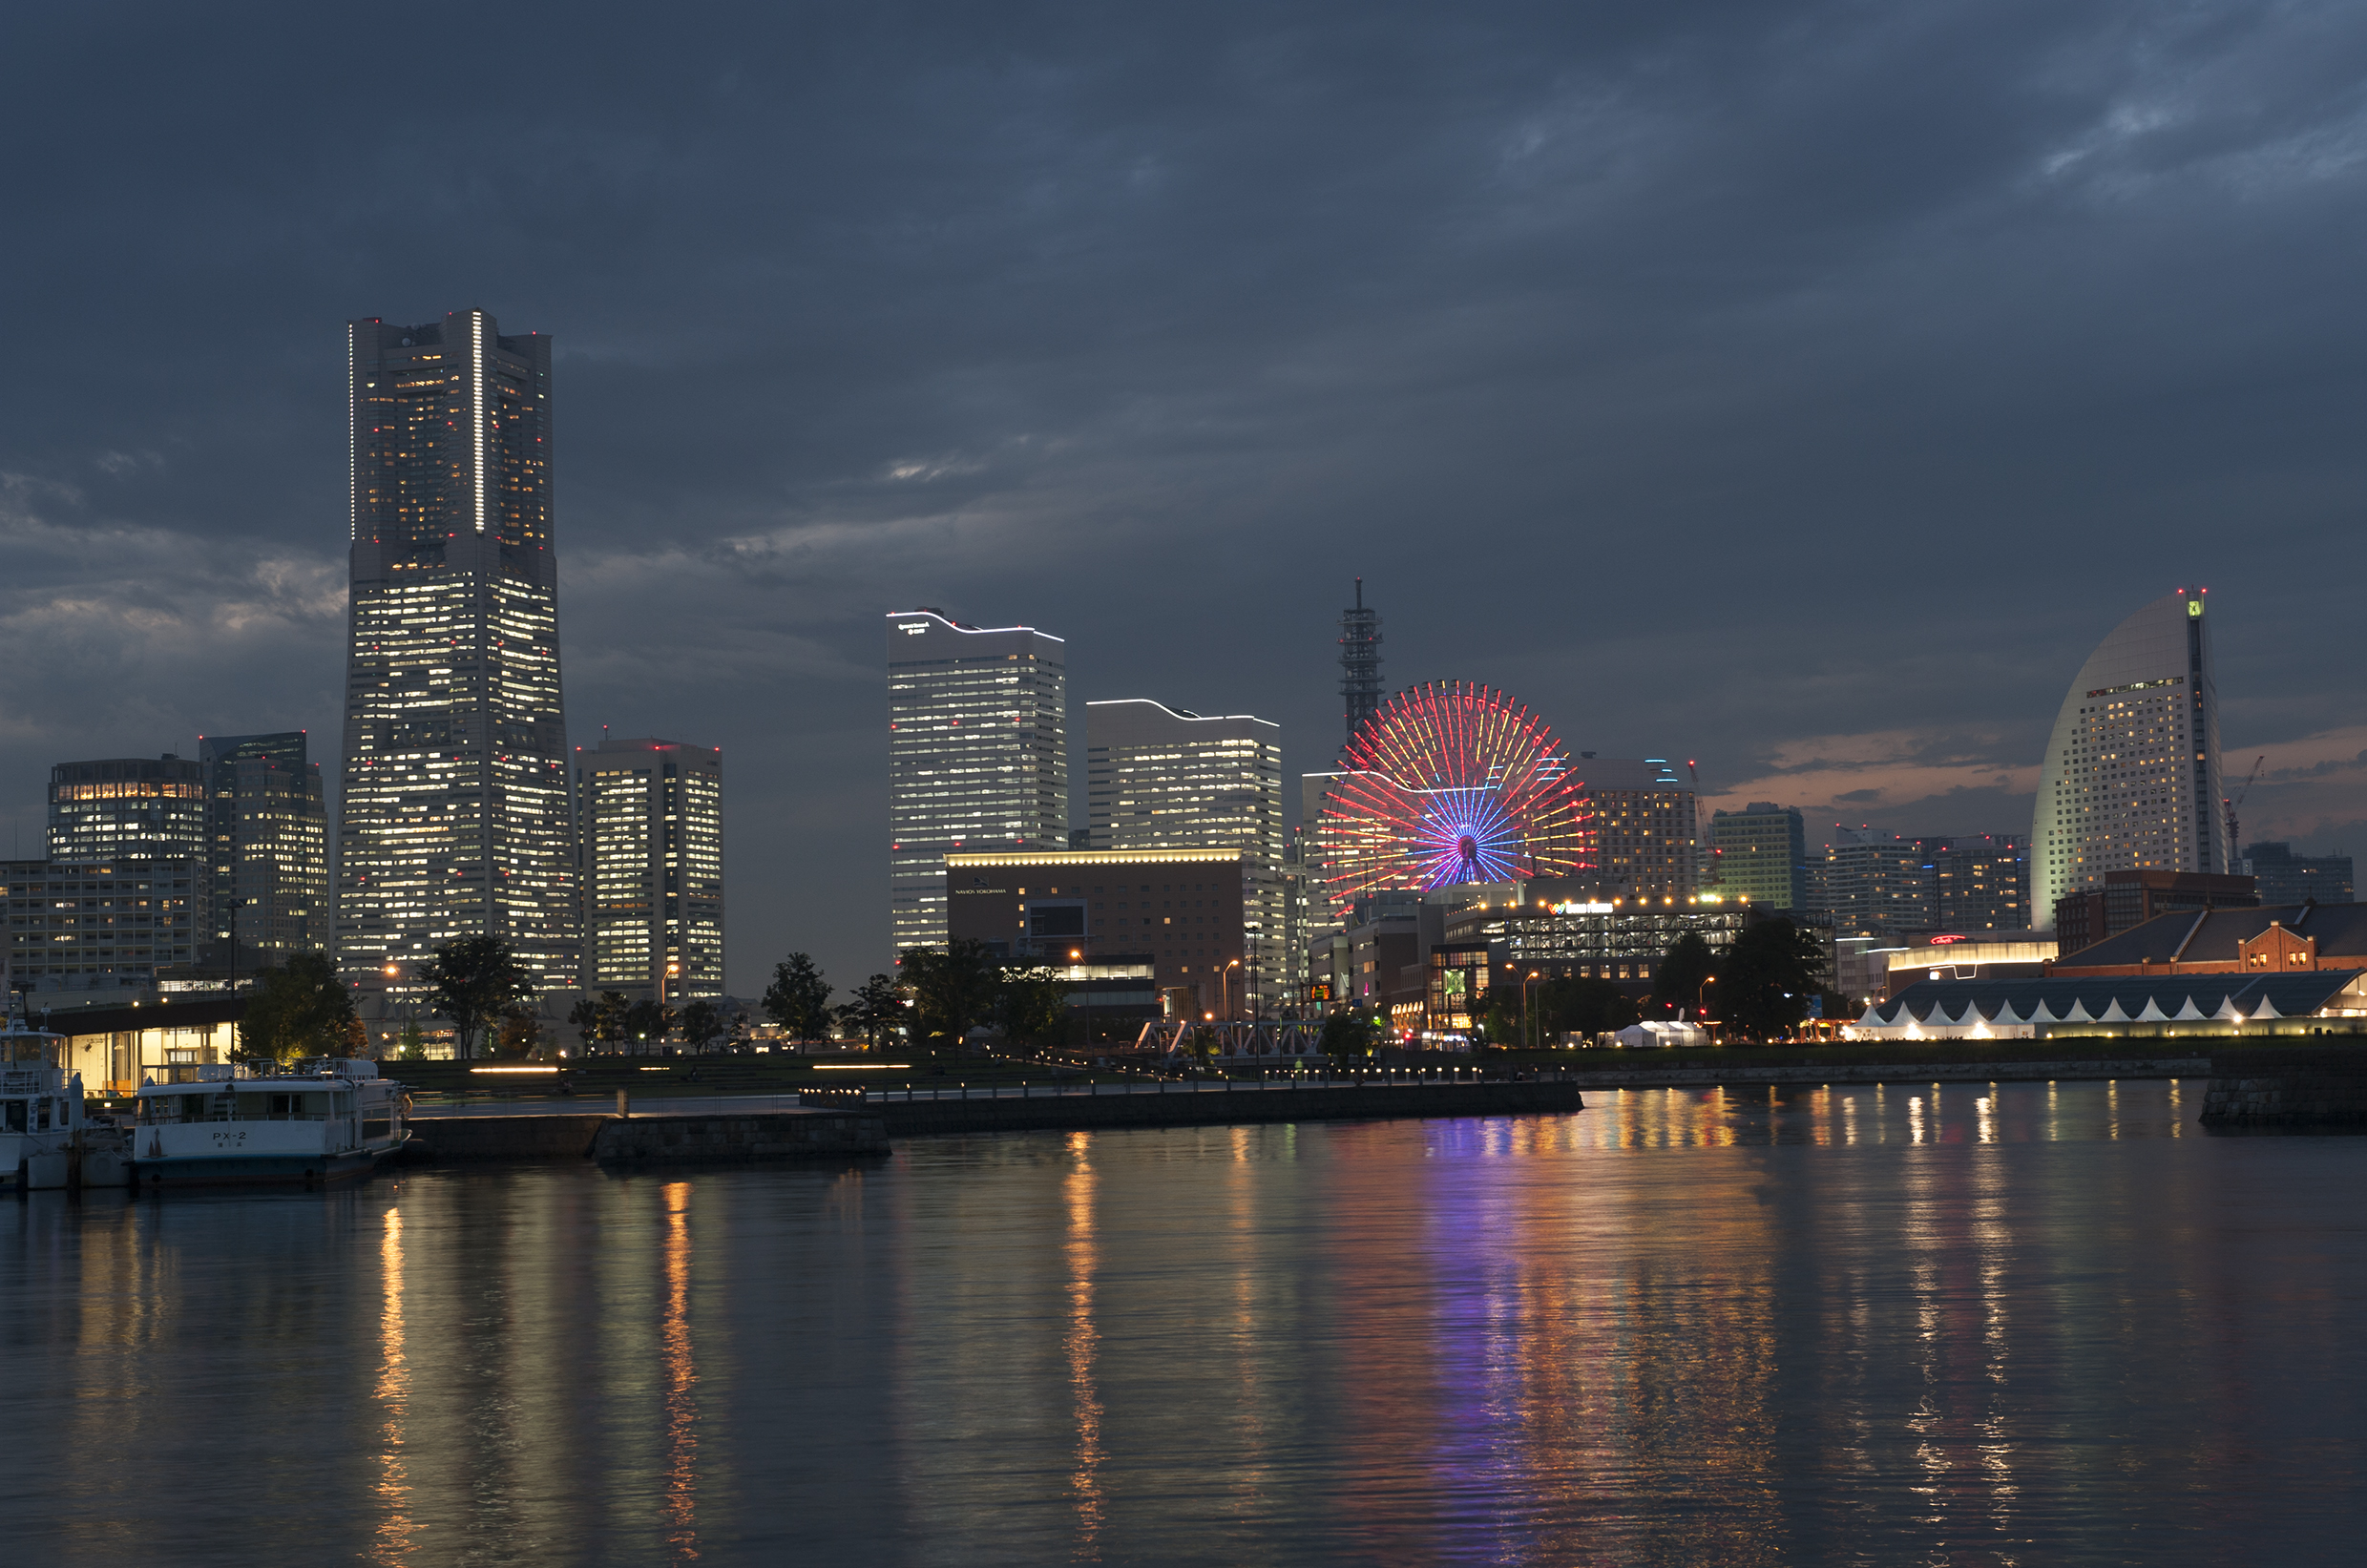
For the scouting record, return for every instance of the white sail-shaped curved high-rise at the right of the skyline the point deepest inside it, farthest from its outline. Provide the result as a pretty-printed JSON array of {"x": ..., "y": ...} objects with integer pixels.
[{"x": 2131, "y": 780}]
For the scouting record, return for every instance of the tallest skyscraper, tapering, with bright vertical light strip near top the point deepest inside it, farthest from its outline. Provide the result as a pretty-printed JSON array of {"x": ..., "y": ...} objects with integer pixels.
[{"x": 456, "y": 814}]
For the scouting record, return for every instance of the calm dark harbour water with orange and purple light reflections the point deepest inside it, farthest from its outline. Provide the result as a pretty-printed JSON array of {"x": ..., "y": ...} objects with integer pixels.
[{"x": 1909, "y": 1325}]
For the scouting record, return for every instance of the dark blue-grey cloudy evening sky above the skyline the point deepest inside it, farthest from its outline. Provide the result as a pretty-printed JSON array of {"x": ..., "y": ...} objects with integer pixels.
[{"x": 1802, "y": 390}]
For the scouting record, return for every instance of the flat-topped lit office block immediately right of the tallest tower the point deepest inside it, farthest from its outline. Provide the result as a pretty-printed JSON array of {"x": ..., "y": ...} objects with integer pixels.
[{"x": 652, "y": 821}]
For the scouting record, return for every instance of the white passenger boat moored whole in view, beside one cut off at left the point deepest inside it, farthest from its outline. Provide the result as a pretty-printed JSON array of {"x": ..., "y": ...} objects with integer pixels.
[{"x": 325, "y": 1122}]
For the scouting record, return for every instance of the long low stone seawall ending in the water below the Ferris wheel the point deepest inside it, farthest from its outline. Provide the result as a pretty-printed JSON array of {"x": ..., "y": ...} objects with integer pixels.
[{"x": 1081, "y": 1112}]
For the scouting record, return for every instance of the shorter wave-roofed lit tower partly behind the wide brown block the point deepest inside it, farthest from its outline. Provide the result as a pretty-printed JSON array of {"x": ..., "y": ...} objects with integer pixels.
[{"x": 1173, "y": 780}]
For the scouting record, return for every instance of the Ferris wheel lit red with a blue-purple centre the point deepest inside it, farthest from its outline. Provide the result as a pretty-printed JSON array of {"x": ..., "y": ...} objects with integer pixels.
[{"x": 1452, "y": 783}]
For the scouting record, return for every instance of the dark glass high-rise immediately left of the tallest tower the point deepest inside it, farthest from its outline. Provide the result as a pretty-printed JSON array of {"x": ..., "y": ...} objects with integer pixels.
[{"x": 266, "y": 844}]
